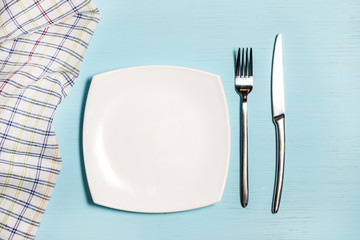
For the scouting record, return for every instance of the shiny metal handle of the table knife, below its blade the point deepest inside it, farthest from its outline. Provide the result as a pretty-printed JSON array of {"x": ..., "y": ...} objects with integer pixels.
[{"x": 280, "y": 161}]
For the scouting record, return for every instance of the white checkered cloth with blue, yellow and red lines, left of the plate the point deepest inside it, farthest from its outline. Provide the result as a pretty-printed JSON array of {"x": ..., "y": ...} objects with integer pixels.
[{"x": 42, "y": 44}]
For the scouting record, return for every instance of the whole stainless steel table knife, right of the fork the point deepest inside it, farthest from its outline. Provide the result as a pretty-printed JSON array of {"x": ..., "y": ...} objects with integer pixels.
[{"x": 278, "y": 111}]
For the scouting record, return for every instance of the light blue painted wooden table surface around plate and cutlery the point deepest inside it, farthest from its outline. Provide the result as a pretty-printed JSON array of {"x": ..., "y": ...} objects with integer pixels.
[{"x": 321, "y": 40}]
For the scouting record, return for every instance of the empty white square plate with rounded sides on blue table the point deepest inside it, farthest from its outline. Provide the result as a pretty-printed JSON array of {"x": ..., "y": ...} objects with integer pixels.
[{"x": 156, "y": 139}]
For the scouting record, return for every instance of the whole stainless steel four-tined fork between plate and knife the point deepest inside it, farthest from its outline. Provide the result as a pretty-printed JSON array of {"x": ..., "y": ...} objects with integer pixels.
[{"x": 243, "y": 86}]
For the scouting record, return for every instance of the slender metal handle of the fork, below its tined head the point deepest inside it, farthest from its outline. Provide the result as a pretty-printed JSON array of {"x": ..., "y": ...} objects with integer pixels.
[{"x": 244, "y": 184}]
